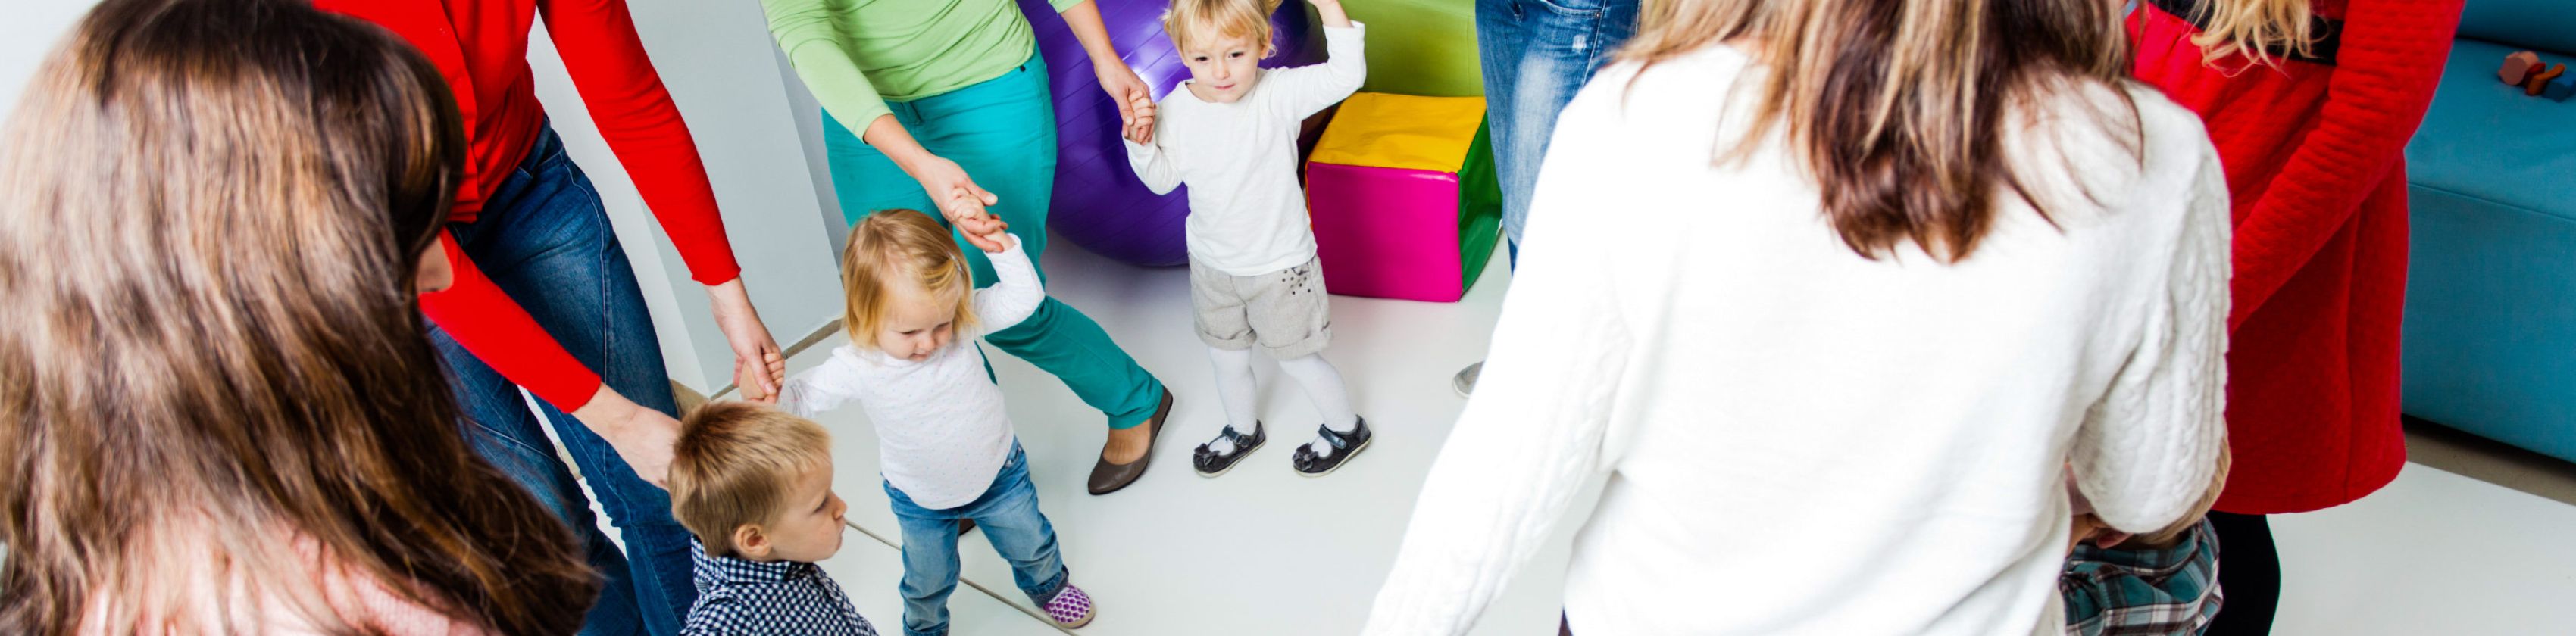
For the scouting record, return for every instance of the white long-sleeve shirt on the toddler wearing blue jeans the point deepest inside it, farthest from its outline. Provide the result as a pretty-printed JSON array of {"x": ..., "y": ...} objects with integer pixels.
[{"x": 939, "y": 424}]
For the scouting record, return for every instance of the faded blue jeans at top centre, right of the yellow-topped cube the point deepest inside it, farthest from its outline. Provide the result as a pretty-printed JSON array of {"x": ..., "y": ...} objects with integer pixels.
[{"x": 1537, "y": 55}]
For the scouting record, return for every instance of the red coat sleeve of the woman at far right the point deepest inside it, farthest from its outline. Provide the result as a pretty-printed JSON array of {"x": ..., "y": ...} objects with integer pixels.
[{"x": 2384, "y": 79}]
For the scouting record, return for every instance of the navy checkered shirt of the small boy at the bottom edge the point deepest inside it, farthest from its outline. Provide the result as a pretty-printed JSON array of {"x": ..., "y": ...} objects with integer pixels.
[{"x": 741, "y": 596}]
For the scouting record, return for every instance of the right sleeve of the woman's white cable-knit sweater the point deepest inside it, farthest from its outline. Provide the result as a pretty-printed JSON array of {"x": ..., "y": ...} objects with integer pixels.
[{"x": 2150, "y": 449}]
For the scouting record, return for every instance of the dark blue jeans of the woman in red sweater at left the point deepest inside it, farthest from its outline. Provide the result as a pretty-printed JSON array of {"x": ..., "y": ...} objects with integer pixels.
[{"x": 547, "y": 243}]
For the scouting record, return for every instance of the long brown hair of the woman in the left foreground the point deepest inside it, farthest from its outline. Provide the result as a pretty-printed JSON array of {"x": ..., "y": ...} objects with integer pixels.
[{"x": 213, "y": 223}]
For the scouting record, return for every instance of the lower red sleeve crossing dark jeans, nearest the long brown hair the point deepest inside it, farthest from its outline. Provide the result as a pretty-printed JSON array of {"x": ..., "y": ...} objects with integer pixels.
[{"x": 491, "y": 326}]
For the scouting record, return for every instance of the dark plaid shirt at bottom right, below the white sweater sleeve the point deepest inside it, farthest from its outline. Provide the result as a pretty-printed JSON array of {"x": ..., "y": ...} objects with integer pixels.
[{"x": 2155, "y": 591}]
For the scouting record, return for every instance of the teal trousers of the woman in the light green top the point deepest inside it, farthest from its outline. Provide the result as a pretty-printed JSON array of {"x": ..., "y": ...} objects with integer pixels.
[{"x": 1003, "y": 133}]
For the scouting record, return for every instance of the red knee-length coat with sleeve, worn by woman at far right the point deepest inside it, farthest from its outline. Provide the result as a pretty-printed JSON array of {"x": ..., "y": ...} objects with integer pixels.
[{"x": 2317, "y": 174}]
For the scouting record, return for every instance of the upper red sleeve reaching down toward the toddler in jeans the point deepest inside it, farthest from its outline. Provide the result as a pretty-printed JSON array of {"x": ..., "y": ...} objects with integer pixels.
[{"x": 643, "y": 127}]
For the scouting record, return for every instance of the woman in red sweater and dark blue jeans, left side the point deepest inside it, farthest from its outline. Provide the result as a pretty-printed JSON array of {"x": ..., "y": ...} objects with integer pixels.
[{"x": 545, "y": 297}]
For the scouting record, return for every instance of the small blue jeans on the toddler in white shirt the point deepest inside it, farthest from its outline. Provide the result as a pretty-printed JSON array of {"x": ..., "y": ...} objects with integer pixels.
[{"x": 1011, "y": 521}]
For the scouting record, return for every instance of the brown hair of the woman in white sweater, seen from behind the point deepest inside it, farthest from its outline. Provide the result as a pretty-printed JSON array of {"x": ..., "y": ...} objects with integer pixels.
[{"x": 1900, "y": 107}]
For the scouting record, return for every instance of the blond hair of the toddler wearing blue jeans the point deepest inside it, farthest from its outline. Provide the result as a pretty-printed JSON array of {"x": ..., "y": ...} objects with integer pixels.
[{"x": 893, "y": 248}]
